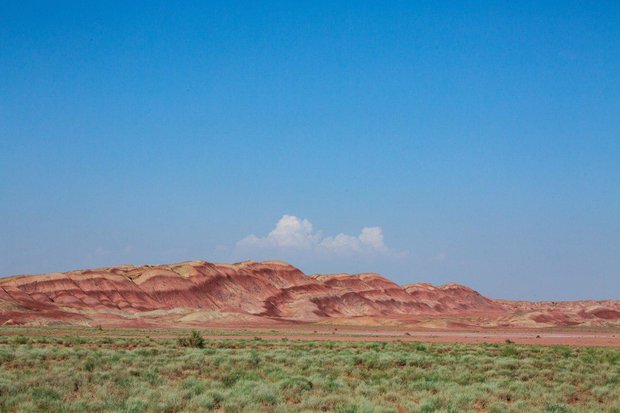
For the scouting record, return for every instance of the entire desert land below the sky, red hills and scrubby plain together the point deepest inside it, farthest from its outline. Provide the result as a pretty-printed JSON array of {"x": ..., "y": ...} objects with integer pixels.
[{"x": 263, "y": 336}]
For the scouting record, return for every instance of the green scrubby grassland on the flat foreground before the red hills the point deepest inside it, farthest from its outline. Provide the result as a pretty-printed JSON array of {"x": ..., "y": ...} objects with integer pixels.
[{"x": 44, "y": 370}]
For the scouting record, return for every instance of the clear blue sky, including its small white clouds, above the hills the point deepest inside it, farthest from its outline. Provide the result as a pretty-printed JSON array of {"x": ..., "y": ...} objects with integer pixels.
[{"x": 475, "y": 142}]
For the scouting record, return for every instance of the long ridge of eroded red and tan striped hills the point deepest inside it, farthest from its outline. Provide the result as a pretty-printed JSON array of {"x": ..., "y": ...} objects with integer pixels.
[{"x": 198, "y": 292}]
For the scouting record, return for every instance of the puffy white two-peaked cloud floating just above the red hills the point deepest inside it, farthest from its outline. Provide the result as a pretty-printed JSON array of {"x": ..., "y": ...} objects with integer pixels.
[{"x": 293, "y": 233}]
